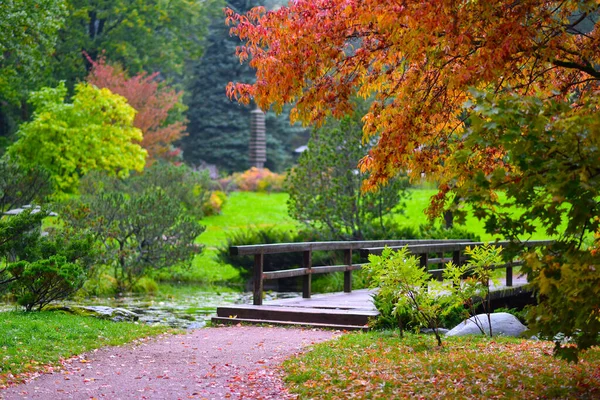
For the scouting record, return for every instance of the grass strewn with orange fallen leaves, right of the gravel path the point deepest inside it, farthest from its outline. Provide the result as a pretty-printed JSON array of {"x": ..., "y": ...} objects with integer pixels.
[{"x": 383, "y": 365}]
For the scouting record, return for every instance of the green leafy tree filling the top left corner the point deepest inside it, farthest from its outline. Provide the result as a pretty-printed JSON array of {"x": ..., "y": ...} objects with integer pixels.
[{"x": 28, "y": 32}]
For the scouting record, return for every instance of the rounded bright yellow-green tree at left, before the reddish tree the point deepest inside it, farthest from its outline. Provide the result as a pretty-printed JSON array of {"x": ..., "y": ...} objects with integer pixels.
[{"x": 94, "y": 133}]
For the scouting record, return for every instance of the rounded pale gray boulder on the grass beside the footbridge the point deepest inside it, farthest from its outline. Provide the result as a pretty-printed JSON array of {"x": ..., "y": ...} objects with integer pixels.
[{"x": 504, "y": 324}]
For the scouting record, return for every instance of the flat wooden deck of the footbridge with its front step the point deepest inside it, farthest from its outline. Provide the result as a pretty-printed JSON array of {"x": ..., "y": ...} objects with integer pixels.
[{"x": 349, "y": 311}]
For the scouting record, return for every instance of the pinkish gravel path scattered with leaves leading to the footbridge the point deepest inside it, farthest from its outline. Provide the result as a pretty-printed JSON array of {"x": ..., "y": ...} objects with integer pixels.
[{"x": 214, "y": 363}]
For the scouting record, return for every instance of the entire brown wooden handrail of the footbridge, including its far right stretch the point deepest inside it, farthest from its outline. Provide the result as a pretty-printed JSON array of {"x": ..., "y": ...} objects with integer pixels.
[{"x": 419, "y": 247}]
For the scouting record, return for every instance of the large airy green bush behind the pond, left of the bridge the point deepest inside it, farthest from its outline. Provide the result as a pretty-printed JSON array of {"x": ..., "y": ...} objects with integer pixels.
[{"x": 146, "y": 222}]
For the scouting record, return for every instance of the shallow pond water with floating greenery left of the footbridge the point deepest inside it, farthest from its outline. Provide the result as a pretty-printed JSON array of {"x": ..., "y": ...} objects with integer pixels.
[{"x": 184, "y": 308}]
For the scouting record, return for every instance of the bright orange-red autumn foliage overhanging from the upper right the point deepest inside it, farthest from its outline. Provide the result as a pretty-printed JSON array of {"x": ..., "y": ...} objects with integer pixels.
[{"x": 417, "y": 60}]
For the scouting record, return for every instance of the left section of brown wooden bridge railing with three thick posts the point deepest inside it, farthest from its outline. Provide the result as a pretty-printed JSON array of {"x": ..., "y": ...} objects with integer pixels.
[{"x": 307, "y": 269}]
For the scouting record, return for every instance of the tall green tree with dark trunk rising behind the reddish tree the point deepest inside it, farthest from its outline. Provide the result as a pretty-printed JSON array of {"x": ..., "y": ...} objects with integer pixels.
[{"x": 141, "y": 35}]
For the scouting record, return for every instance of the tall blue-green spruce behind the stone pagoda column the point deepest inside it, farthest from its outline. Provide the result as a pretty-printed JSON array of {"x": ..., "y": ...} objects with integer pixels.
[{"x": 219, "y": 129}]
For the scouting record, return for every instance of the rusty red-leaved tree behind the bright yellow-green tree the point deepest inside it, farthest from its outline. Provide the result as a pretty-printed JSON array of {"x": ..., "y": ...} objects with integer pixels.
[{"x": 153, "y": 103}]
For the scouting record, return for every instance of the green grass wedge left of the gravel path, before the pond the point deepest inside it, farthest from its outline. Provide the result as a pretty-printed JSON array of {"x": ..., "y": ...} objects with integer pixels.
[{"x": 35, "y": 342}]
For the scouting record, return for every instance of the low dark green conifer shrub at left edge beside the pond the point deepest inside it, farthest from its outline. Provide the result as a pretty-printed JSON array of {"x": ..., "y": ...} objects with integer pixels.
[{"x": 40, "y": 282}]
